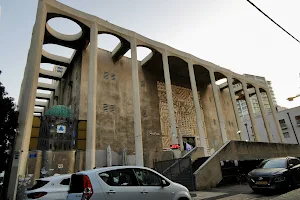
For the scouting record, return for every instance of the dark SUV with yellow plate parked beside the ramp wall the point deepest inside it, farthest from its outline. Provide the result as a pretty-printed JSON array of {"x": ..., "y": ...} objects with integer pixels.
[{"x": 275, "y": 173}]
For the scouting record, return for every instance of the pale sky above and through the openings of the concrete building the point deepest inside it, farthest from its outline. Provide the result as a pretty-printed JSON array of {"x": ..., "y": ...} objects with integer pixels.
[{"x": 231, "y": 34}]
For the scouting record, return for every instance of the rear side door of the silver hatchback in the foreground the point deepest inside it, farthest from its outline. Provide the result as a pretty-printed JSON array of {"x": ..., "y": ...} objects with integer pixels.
[{"x": 119, "y": 184}]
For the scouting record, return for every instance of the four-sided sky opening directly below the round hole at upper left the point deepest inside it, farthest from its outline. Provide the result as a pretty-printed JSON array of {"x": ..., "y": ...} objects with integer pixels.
[{"x": 59, "y": 50}]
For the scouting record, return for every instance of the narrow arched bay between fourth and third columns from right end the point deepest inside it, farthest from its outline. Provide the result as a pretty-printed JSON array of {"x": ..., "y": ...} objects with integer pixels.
[{"x": 247, "y": 132}]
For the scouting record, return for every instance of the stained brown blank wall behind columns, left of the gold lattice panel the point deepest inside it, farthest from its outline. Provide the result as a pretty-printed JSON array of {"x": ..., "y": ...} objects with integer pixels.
[{"x": 115, "y": 106}]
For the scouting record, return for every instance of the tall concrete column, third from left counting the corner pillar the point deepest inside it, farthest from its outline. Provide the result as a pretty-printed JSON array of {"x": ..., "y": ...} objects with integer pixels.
[{"x": 139, "y": 155}]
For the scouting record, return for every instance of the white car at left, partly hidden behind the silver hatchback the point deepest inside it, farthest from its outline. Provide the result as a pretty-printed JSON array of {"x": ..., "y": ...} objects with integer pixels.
[{"x": 53, "y": 187}]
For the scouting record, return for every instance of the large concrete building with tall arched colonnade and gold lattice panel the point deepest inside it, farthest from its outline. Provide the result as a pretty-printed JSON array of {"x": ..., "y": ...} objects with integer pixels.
[{"x": 168, "y": 98}]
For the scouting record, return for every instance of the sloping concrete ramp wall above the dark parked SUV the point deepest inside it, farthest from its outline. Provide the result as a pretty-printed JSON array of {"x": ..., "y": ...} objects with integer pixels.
[{"x": 210, "y": 174}]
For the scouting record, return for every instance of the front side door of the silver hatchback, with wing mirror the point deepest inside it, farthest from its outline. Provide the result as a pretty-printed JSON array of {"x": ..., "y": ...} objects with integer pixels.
[{"x": 151, "y": 185}]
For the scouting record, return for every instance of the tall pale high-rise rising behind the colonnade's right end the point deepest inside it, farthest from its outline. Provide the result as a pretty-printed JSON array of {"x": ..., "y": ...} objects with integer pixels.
[{"x": 242, "y": 106}]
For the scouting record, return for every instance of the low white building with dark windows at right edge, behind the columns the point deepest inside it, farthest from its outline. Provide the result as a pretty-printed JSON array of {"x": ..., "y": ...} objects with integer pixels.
[{"x": 289, "y": 120}]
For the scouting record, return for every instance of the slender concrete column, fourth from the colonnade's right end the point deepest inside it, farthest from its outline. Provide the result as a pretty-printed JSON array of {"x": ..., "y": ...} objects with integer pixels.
[{"x": 235, "y": 108}]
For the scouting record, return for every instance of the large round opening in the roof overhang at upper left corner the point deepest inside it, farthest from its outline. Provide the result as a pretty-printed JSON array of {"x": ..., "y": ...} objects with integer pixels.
[{"x": 64, "y": 26}]
